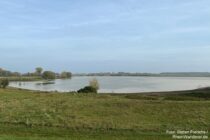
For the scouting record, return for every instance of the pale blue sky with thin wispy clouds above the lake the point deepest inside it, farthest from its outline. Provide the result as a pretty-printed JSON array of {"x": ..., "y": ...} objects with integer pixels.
[{"x": 105, "y": 35}]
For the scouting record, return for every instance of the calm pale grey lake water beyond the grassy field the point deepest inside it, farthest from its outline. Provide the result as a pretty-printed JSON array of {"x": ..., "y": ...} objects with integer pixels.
[{"x": 121, "y": 84}]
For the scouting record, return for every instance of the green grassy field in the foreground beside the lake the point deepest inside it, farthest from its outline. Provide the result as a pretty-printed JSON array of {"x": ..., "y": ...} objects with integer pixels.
[{"x": 41, "y": 115}]
